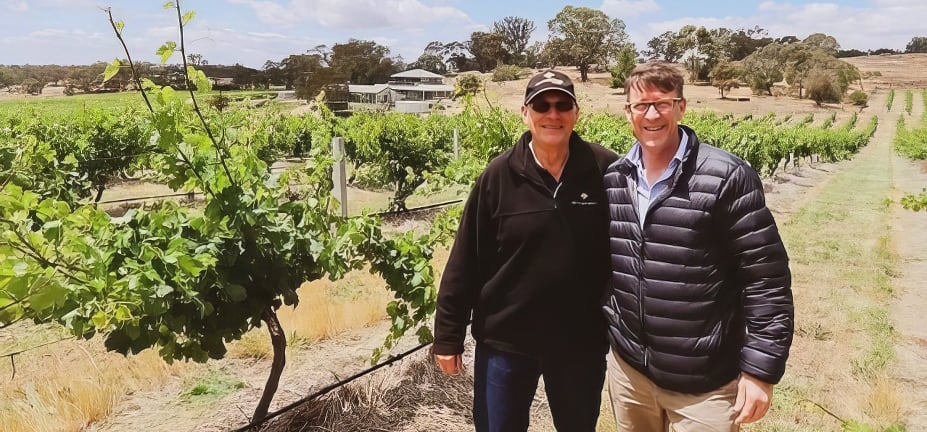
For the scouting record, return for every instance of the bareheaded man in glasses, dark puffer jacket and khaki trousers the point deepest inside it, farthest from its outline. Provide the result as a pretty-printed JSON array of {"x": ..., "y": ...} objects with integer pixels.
[{"x": 699, "y": 309}]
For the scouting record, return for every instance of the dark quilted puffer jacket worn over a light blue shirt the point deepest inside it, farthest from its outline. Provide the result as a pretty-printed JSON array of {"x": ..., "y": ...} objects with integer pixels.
[{"x": 703, "y": 291}]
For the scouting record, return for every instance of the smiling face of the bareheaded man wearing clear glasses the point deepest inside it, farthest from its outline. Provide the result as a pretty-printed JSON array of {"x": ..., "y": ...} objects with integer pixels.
[{"x": 657, "y": 131}]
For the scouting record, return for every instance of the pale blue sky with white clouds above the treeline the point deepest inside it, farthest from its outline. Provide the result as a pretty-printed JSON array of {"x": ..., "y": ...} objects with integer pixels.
[{"x": 250, "y": 32}]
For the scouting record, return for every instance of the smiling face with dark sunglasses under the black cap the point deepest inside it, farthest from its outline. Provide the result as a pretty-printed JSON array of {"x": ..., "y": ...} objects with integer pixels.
[{"x": 552, "y": 127}]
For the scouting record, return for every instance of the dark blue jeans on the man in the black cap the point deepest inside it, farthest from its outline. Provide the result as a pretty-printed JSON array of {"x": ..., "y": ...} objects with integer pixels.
[{"x": 505, "y": 384}]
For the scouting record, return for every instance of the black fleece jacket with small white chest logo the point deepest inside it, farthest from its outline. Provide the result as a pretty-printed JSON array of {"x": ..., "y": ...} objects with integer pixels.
[{"x": 530, "y": 262}]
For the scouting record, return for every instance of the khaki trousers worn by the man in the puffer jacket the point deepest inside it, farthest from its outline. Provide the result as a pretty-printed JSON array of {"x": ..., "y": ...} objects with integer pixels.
[{"x": 640, "y": 406}]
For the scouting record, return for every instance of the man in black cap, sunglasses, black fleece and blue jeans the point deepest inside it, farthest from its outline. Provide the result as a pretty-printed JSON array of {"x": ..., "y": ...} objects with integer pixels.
[{"x": 530, "y": 265}]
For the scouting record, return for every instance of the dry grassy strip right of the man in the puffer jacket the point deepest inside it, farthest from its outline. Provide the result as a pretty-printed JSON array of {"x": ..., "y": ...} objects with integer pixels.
[{"x": 842, "y": 262}]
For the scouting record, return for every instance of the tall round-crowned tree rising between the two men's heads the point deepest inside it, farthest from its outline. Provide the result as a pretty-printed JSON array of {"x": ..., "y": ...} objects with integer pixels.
[{"x": 582, "y": 36}]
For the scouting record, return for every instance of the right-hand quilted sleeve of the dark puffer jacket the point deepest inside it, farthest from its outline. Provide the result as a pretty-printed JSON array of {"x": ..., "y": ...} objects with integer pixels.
[{"x": 762, "y": 270}]
